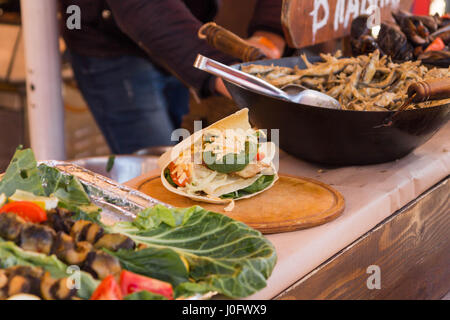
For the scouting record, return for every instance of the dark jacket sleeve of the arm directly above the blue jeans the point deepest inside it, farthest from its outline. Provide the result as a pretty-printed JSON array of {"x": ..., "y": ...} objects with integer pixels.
[{"x": 167, "y": 31}]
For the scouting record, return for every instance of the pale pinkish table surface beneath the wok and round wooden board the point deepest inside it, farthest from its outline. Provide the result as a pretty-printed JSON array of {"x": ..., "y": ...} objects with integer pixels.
[{"x": 372, "y": 193}]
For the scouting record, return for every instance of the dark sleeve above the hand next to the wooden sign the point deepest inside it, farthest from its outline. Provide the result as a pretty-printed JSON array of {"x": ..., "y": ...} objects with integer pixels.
[{"x": 267, "y": 17}]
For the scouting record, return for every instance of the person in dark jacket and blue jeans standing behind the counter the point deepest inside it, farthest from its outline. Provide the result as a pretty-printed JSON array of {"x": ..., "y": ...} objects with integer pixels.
[{"x": 133, "y": 62}]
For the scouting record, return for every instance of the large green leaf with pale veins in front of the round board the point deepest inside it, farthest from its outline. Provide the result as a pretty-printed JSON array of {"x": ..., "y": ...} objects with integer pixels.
[{"x": 224, "y": 255}]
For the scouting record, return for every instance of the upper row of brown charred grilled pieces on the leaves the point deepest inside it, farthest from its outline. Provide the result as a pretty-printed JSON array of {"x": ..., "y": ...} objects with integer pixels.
[{"x": 80, "y": 248}]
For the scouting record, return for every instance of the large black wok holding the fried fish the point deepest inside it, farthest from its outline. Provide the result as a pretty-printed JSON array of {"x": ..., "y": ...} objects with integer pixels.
[{"x": 338, "y": 137}]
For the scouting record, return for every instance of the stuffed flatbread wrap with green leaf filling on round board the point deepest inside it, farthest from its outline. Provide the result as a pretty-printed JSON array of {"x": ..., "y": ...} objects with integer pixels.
[{"x": 208, "y": 185}]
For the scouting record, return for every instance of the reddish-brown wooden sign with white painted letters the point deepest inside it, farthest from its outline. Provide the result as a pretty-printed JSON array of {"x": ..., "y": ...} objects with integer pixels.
[{"x": 308, "y": 22}]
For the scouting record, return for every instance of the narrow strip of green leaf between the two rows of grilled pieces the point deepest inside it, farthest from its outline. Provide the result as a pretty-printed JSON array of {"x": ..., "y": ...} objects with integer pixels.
[{"x": 12, "y": 255}]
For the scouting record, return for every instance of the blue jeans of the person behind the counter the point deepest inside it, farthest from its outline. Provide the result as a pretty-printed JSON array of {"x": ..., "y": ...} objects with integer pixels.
[{"x": 134, "y": 104}]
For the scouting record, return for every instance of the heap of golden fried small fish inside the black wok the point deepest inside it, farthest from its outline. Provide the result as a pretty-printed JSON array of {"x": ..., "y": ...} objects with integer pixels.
[{"x": 364, "y": 83}]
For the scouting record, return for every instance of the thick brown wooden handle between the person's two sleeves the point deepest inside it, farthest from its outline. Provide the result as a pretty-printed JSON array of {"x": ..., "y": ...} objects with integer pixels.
[{"x": 229, "y": 43}]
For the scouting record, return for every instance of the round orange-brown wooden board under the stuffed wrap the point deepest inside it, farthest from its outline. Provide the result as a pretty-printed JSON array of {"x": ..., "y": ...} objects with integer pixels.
[{"x": 293, "y": 203}]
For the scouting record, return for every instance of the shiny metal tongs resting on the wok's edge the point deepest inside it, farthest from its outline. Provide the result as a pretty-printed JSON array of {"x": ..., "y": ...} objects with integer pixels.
[{"x": 293, "y": 93}]
